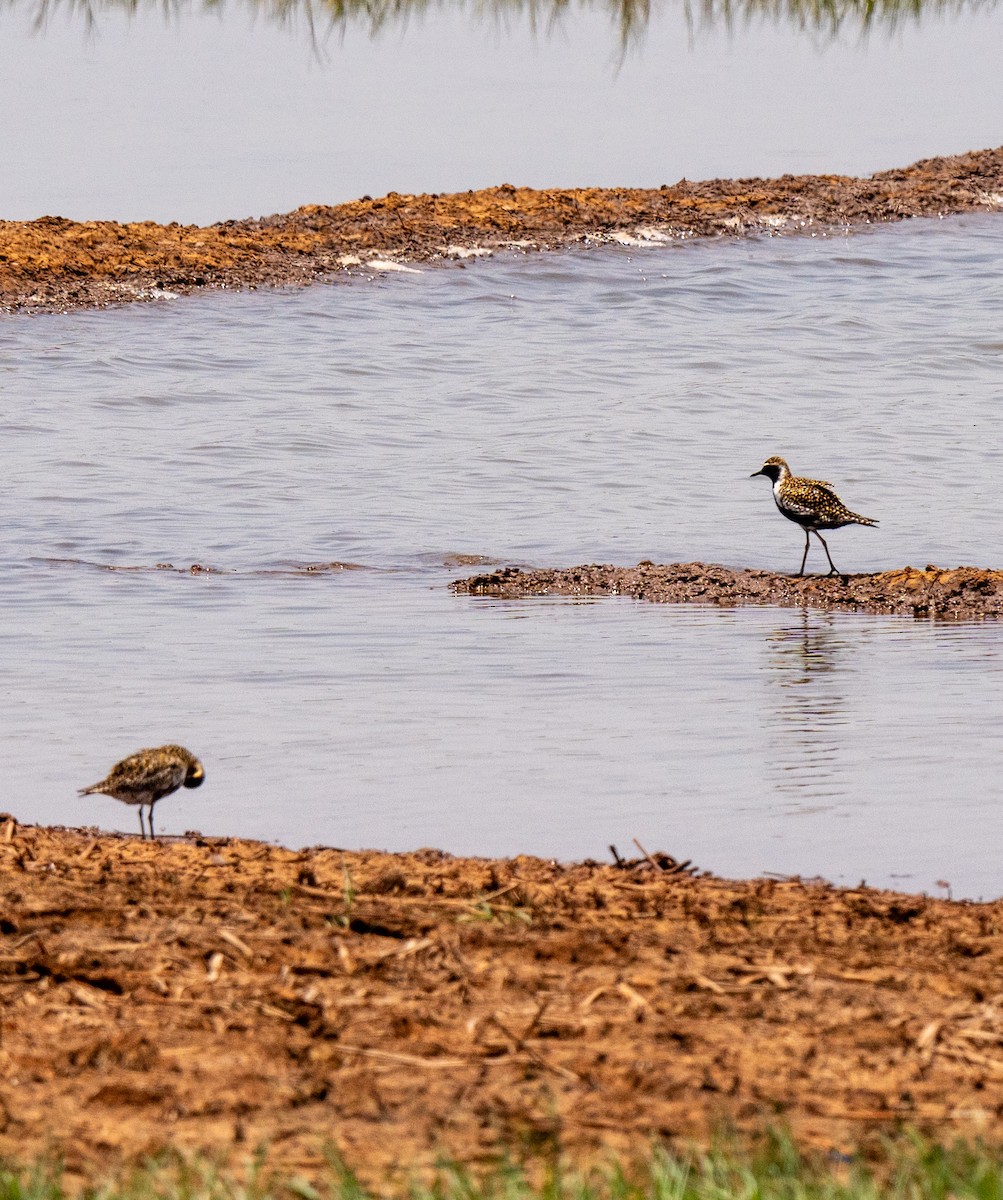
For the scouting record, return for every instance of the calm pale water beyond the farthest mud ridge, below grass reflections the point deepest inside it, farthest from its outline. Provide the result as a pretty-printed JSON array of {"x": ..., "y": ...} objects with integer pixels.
[{"x": 202, "y": 117}]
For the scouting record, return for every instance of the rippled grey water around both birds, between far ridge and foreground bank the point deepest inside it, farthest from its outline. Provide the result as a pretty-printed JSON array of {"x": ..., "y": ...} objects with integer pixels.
[{"x": 587, "y": 406}]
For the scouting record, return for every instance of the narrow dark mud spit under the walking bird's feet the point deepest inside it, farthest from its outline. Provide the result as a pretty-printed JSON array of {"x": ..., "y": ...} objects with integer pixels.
[{"x": 960, "y": 592}]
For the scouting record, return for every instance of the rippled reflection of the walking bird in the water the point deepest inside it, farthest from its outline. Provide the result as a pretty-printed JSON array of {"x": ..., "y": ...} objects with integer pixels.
[{"x": 809, "y": 713}]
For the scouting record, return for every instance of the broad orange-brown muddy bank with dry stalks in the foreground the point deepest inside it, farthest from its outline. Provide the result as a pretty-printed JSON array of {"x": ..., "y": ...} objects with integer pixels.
[{"x": 219, "y": 994}]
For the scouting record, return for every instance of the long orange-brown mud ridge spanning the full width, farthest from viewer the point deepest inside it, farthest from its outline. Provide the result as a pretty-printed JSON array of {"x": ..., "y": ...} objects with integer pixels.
[{"x": 55, "y": 265}]
